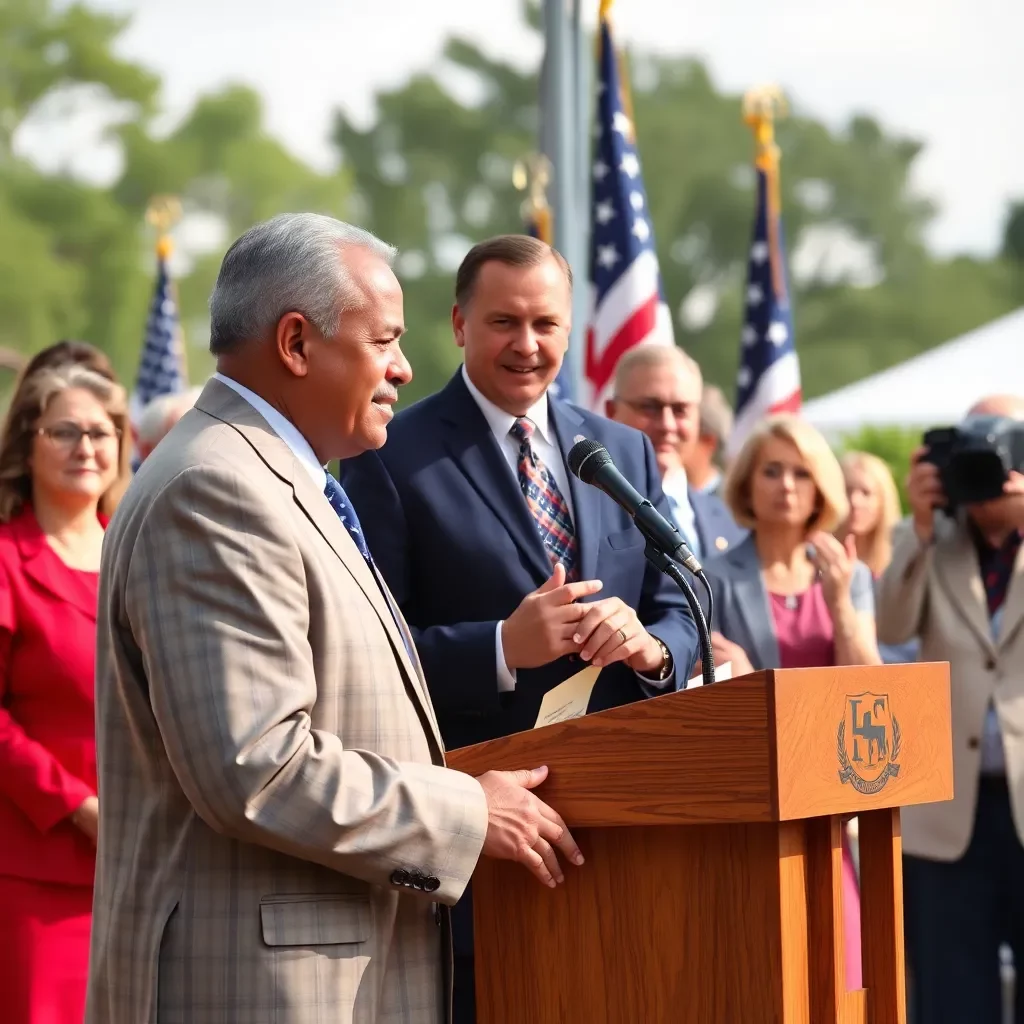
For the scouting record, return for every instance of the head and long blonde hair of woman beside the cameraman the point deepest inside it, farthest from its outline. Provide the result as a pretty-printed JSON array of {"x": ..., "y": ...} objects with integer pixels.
[{"x": 875, "y": 509}]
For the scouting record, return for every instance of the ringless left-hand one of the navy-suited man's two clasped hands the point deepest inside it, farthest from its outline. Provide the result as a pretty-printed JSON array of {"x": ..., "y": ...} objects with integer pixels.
[{"x": 541, "y": 630}]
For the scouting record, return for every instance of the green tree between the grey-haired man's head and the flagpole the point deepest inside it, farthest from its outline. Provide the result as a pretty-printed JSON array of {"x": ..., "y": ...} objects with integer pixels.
[{"x": 434, "y": 176}]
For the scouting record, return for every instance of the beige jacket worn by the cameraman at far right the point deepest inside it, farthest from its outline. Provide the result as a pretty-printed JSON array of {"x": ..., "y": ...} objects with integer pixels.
[{"x": 936, "y": 593}]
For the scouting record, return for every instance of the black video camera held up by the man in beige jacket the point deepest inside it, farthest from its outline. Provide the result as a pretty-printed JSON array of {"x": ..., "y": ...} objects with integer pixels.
[{"x": 975, "y": 459}]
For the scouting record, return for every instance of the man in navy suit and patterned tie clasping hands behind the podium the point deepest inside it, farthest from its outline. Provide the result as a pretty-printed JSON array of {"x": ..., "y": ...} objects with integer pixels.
[{"x": 513, "y": 574}]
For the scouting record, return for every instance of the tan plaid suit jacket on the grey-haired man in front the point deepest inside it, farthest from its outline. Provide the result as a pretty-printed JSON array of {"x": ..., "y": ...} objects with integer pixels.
[{"x": 276, "y": 822}]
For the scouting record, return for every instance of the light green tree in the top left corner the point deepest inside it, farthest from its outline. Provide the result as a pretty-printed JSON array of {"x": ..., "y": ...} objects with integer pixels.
[{"x": 65, "y": 246}]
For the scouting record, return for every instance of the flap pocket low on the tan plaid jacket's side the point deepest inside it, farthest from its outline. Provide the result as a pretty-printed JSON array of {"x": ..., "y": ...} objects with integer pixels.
[{"x": 317, "y": 920}]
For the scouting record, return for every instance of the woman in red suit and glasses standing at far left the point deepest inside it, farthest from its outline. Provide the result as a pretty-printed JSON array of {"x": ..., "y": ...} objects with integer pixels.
[{"x": 60, "y": 466}]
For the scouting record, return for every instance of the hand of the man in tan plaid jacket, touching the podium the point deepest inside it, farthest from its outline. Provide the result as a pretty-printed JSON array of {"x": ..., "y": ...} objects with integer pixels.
[{"x": 524, "y": 829}]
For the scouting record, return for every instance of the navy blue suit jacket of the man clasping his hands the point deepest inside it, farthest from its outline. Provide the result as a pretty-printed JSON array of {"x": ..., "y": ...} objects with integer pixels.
[{"x": 451, "y": 533}]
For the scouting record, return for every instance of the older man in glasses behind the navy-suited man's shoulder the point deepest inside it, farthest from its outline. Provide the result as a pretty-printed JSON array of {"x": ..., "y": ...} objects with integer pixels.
[{"x": 658, "y": 390}]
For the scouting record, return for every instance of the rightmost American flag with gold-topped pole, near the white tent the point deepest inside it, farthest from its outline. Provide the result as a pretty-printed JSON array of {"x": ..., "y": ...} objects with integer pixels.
[{"x": 769, "y": 378}]
